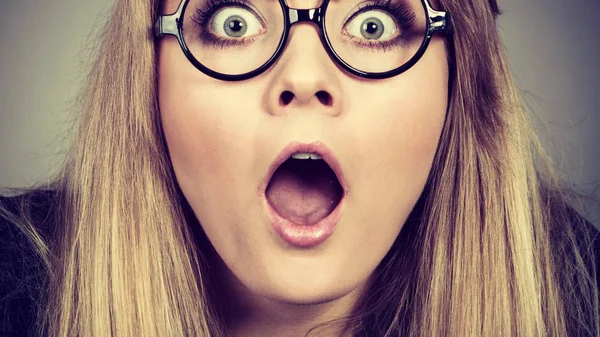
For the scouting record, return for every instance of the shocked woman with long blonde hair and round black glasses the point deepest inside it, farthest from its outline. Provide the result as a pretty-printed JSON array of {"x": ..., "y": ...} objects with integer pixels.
[{"x": 248, "y": 178}]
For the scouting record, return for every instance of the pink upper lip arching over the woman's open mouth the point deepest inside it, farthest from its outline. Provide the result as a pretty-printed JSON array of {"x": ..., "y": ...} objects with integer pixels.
[{"x": 315, "y": 147}]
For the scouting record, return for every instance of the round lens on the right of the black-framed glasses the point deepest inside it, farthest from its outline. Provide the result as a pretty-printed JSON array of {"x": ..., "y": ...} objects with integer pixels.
[{"x": 376, "y": 35}]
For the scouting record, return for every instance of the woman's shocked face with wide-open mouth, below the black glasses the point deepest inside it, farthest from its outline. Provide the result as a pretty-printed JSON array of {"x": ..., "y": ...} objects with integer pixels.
[{"x": 301, "y": 230}]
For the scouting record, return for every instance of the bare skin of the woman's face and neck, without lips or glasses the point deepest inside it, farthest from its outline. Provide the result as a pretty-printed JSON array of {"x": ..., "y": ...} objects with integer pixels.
[{"x": 383, "y": 132}]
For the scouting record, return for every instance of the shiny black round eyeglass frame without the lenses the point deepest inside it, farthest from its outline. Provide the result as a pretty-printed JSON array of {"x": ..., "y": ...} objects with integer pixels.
[{"x": 172, "y": 24}]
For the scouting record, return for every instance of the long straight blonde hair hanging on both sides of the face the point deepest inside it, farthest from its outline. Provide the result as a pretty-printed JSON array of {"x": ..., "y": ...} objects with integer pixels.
[{"x": 493, "y": 247}]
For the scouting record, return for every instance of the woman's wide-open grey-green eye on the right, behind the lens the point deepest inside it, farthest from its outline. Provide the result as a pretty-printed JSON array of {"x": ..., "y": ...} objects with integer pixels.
[{"x": 372, "y": 25}]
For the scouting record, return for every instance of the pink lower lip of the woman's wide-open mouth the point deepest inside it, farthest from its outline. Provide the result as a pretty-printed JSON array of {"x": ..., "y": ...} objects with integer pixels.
[{"x": 304, "y": 236}]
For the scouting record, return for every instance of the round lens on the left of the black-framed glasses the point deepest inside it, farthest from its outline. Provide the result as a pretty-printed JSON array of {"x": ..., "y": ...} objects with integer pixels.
[{"x": 233, "y": 37}]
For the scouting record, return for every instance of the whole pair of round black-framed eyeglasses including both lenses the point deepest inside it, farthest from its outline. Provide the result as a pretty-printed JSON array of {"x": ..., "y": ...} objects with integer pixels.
[{"x": 235, "y": 40}]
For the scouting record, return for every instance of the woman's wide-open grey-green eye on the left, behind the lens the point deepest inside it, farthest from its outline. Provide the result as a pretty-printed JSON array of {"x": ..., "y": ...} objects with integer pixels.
[{"x": 235, "y": 22}]
